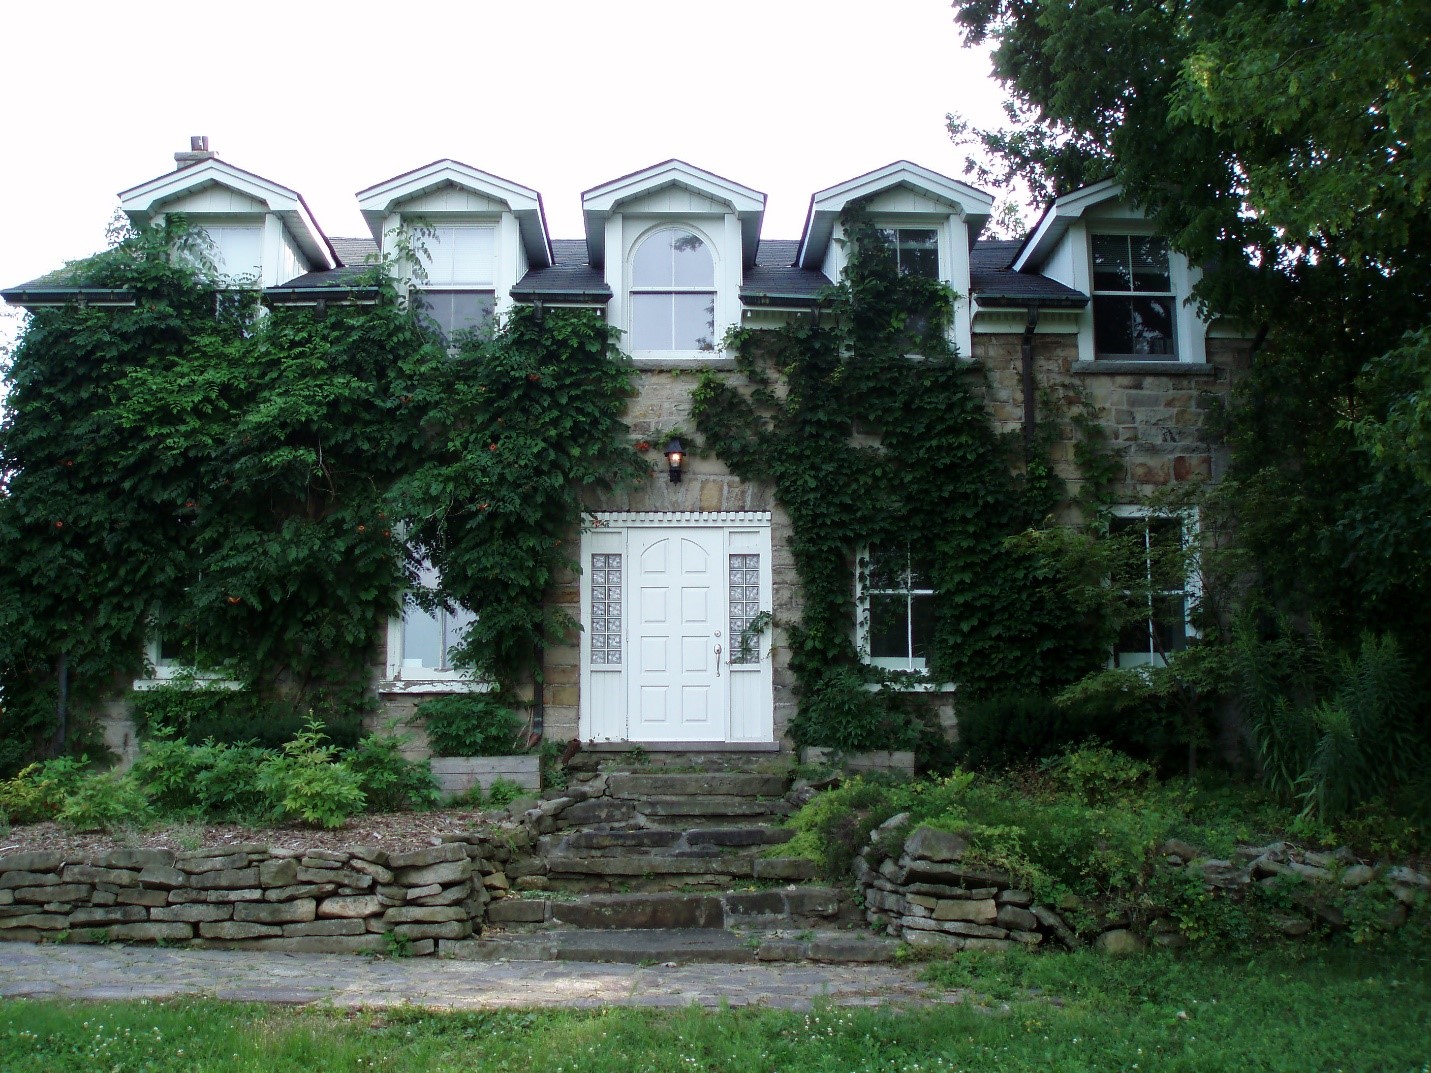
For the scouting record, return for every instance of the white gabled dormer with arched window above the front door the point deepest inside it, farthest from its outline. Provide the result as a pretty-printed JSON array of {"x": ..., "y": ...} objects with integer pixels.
[{"x": 673, "y": 242}]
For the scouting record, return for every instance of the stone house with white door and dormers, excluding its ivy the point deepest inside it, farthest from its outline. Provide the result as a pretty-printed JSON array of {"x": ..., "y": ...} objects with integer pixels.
[{"x": 1091, "y": 305}]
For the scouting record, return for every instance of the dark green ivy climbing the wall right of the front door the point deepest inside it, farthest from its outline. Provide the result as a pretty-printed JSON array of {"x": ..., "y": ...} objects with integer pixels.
[{"x": 864, "y": 420}]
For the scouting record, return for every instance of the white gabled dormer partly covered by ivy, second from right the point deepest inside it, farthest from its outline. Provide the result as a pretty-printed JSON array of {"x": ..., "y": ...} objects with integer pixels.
[{"x": 931, "y": 220}]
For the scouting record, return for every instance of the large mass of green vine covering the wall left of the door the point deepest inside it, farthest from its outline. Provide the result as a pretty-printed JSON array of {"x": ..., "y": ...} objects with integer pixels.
[{"x": 264, "y": 489}]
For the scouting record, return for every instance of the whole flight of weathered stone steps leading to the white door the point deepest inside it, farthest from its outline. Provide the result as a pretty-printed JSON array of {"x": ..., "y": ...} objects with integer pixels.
[{"x": 660, "y": 868}]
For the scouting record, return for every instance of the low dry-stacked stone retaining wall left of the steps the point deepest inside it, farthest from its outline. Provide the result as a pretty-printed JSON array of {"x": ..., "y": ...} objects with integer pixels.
[{"x": 255, "y": 896}]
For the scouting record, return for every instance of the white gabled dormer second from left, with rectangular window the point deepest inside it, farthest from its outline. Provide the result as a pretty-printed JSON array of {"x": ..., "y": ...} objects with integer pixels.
[{"x": 483, "y": 235}]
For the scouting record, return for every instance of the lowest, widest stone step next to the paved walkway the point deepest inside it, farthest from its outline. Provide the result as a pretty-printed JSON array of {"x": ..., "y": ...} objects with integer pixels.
[{"x": 666, "y": 946}]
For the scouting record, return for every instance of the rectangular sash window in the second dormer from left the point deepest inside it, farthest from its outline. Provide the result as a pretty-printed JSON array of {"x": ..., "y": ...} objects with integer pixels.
[{"x": 460, "y": 291}]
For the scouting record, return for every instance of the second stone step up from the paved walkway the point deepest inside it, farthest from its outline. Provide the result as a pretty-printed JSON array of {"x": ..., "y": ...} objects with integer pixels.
[{"x": 796, "y": 906}]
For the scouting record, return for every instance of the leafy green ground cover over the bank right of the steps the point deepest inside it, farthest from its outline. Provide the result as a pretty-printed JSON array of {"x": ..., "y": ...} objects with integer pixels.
[{"x": 1088, "y": 829}]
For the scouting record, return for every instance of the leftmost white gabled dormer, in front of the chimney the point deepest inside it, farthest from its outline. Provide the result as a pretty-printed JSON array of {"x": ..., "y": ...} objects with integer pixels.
[{"x": 263, "y": 232}]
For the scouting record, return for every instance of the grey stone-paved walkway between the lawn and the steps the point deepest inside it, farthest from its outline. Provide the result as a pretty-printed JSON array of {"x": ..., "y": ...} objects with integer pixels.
[{"x": 118, "y": 972}]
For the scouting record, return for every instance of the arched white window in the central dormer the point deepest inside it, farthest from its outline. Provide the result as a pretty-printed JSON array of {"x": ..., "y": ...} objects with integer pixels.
[{"x": 673, "y": 294}]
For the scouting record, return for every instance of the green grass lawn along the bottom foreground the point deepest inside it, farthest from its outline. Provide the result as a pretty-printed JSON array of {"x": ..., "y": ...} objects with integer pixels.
[{"x": 1322, "y": 1011}]
